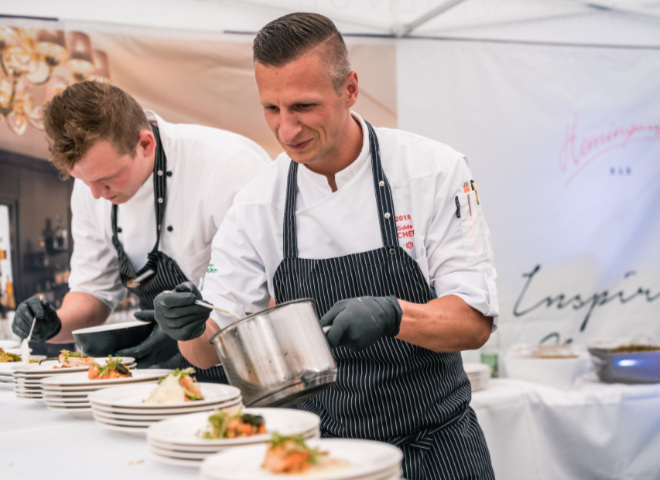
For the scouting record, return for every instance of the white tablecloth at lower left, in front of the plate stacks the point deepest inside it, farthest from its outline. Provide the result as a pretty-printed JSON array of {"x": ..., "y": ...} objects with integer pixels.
[{"x": 37, "y": 443}]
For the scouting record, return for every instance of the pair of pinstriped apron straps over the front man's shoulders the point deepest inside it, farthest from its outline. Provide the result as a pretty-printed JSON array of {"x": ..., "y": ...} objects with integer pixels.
[{"x": 384, "y": 201}]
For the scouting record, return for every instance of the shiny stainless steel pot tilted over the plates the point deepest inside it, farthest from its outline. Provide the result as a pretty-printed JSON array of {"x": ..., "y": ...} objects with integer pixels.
[{"x": 277, "y": 357}]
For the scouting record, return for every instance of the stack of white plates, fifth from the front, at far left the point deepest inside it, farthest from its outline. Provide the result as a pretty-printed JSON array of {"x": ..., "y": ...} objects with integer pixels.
[{"x": 28, "y": 377}]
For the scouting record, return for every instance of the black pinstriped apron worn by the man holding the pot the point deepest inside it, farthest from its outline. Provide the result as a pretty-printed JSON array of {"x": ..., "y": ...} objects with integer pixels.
[{"x": 391, "y": 391}]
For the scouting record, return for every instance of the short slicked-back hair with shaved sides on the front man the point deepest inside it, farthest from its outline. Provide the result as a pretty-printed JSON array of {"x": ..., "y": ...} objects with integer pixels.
[{"x": 291, "y": 36}]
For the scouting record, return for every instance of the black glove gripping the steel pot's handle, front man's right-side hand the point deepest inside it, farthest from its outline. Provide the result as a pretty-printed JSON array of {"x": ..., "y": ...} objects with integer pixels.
[{"x": 358, "y": 322}]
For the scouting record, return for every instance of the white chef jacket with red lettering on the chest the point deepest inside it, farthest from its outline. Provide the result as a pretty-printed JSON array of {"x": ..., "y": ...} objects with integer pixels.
[{"x": 426, "y": 177}]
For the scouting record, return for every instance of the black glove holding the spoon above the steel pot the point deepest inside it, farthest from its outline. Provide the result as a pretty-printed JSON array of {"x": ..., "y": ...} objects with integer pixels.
[{"x": 177, "y": 314}]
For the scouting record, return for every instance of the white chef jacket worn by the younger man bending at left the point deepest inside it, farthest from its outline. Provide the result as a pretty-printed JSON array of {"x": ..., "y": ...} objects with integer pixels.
[{"x": 208, "y": 166}]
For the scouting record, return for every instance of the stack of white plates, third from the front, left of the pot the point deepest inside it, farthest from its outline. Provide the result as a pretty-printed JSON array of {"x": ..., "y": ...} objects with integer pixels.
[{"x": 123, "y": 408}]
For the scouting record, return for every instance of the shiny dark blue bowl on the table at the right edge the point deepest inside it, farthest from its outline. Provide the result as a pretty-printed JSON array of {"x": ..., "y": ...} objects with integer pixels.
[{"x": 626, "y": 367}]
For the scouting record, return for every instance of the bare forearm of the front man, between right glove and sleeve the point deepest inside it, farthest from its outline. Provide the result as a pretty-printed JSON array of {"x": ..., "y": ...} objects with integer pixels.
[{"x": 445, "y": 324}]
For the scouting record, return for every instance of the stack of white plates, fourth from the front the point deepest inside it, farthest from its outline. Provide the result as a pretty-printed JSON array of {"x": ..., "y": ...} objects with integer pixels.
[{"x": 70, "y": 392}]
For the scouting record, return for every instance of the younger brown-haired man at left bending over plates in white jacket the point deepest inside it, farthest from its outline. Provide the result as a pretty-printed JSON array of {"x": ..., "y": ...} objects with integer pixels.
[{"x": 148, "y": 198}]
